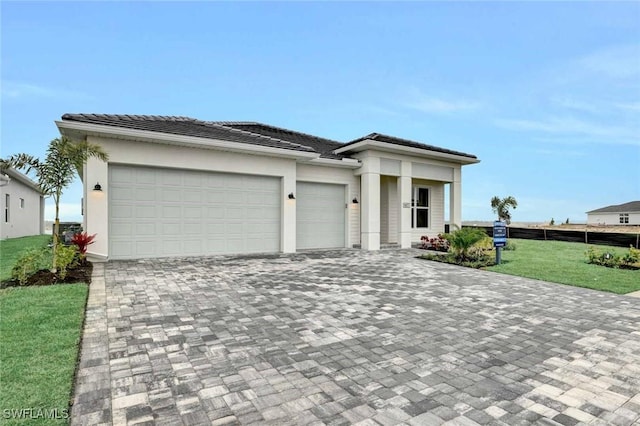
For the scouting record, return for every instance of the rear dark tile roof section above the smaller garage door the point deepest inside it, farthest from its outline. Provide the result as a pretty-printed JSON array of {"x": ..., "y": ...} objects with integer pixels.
[{"x": 321, "y": 145}]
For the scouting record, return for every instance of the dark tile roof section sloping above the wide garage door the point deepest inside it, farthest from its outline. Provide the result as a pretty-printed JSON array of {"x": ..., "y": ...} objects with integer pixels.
[{"x": 185, "y": 126}]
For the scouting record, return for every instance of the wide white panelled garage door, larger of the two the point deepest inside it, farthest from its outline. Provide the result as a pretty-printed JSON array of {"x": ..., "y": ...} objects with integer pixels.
[{"x": 156, "y": 212}]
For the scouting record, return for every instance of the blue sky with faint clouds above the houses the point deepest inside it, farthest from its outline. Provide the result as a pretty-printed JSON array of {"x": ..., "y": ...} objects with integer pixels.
[{"x": 546, "y": 94}]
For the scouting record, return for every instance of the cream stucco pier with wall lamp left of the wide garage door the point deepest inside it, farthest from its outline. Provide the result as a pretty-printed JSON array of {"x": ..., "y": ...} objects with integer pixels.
[{"x": 96, "y": 212}]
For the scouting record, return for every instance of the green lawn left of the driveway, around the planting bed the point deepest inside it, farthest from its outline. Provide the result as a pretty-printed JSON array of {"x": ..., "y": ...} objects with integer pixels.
[{"x": 40, "y": 330}]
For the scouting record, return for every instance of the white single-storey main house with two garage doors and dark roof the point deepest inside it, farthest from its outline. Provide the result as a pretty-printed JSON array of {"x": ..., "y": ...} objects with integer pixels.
[{"x": 176, "y": 186}]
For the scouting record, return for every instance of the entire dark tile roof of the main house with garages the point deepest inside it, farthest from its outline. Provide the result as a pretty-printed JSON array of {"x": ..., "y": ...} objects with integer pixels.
[{"x": 253, "y": 133}]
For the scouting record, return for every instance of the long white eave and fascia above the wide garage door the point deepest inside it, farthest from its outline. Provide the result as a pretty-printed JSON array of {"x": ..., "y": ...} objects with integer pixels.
[{"x": 76, "y": 130}]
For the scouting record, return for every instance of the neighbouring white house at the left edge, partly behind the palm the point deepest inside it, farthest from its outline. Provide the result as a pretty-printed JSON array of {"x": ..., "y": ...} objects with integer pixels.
[{"x": 22, "y": 205}]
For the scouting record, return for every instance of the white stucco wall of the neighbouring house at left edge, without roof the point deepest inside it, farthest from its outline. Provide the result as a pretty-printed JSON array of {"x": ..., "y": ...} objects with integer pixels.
[{"x": 24, "y": 219}]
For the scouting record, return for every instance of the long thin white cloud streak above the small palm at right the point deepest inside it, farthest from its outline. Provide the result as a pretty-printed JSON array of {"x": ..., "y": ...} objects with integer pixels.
[{"x": 575, "y": 128}]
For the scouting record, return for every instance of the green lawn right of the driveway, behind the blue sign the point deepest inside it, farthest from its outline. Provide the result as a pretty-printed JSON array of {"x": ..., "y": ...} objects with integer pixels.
[{"x": 565, "y": 263}]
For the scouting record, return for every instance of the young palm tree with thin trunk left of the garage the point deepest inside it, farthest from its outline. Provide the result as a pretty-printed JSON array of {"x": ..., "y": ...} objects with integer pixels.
[{"x": 64, "y": 160}]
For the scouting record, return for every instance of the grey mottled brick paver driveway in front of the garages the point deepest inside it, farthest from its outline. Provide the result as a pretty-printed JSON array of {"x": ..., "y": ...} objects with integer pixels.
[{"x": 351, "y": 337}]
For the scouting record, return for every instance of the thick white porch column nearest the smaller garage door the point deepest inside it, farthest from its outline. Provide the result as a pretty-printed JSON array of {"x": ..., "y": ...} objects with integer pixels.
[{"x": 370, "y": 216}]
